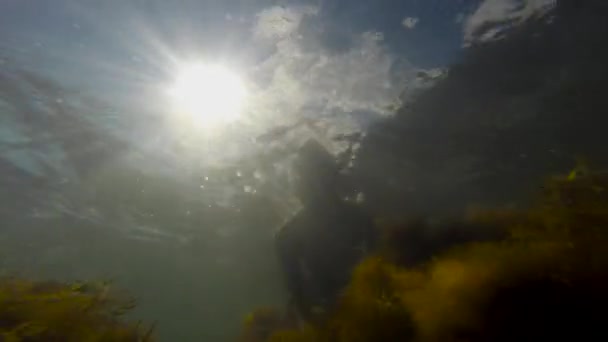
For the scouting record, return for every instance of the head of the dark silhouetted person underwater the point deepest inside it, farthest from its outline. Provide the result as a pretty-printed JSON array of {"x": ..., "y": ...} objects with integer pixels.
[{"x": 316, "y": 173}]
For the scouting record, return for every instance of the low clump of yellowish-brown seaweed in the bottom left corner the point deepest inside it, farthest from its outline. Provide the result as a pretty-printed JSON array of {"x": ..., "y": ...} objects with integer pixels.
[{"x": 52, "y": 311}]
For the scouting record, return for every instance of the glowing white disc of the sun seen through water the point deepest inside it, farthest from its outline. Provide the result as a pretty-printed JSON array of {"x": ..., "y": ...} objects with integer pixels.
[{"x": 210, "y": 95}]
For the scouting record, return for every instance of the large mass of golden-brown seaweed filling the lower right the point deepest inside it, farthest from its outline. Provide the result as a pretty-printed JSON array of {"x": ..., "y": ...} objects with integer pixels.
[{"x": 546, "y": 279}]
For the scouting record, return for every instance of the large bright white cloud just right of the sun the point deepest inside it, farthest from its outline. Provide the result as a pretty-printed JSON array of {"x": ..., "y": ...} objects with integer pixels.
[{"x": 303, "y": 80}]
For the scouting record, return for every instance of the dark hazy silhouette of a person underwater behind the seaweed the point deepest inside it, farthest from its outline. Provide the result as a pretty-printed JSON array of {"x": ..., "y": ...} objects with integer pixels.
[{"x": 321, "y": 244}]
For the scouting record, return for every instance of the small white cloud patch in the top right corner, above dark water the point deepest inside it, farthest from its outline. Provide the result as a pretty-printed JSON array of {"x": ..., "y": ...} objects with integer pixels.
[{"x": 493, "y": 17}]
